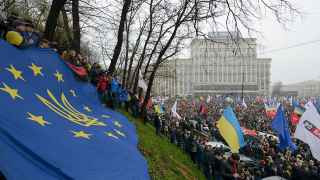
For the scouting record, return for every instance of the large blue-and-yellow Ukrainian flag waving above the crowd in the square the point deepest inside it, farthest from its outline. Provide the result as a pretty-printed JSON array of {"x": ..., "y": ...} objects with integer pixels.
[{"x": 230, "y": 130}]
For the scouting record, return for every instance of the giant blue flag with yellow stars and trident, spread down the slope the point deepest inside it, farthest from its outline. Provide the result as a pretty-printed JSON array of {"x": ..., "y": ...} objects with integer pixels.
[{"x": 53, "y": 127}]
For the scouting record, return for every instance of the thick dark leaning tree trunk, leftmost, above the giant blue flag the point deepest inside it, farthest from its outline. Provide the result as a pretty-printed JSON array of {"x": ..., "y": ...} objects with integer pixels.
[{"x": 52, "y": 19}]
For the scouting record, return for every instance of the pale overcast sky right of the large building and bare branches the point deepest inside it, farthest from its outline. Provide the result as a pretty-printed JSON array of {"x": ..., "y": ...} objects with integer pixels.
[{"x": 299, "y": 63}]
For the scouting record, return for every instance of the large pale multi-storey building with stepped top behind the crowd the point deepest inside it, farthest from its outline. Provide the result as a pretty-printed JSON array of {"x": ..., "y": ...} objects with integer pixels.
[{"x": 218, "y": 65}]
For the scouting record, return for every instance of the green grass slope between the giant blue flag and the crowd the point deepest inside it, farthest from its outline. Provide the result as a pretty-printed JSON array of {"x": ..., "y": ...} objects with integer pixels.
[{"x": 165, "y": 160}]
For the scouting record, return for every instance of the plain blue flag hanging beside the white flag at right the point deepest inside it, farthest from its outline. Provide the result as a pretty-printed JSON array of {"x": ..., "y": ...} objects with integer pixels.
[{"x": 280, "y": 126}]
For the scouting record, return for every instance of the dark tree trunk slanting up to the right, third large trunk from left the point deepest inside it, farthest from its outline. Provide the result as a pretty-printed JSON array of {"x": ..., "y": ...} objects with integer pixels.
[{"x": 117, "y": 49}]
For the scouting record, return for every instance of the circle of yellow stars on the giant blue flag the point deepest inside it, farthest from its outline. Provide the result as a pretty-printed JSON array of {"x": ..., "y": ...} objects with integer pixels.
[{"x": 14, "y": 94}]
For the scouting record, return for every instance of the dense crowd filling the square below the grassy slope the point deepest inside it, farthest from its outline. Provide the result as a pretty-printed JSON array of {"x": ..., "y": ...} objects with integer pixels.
[{"x": 197, "y": 128}]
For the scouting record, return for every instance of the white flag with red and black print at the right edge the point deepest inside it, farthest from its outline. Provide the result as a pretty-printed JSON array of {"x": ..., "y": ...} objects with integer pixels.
[{"x": 308, "y": 129}]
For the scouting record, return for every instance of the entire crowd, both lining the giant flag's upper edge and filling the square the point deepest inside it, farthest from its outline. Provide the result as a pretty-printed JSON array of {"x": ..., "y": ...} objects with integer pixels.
[{"x": 198, "y": 125}]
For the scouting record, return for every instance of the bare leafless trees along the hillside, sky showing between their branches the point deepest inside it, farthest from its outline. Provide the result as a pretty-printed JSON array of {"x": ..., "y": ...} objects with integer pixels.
[{"x": 135, "y": 37}]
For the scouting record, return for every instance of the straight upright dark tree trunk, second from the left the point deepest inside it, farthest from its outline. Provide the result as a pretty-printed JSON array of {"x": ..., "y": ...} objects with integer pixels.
[{"x": 76, "y": 26}]
